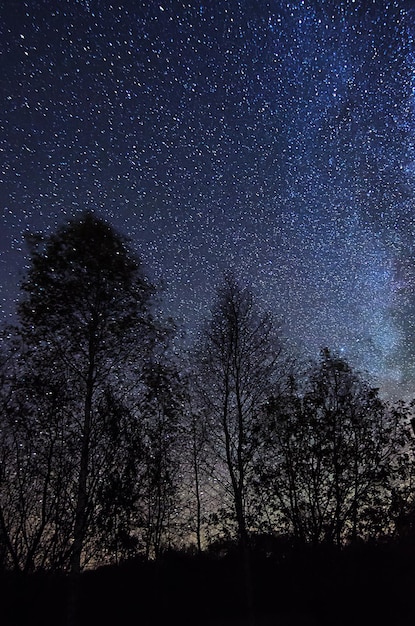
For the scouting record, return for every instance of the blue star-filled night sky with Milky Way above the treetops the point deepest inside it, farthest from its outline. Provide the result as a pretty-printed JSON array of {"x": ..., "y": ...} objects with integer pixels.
[{"x": 277, "y": 138}]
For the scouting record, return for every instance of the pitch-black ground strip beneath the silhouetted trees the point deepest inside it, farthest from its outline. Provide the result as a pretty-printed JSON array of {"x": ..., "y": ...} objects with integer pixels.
[{"x": 361, "y": 586}]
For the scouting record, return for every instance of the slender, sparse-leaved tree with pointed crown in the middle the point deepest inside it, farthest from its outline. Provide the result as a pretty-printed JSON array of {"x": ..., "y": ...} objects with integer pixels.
[{"x": 239, "y": 360}]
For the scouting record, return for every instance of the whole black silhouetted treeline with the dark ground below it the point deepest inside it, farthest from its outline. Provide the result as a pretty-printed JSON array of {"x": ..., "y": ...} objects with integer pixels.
[{"x": 232, "y": 480}]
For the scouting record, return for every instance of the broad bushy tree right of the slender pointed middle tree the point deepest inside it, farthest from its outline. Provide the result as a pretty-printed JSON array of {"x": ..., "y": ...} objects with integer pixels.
[{"x": 333, "y": 450}]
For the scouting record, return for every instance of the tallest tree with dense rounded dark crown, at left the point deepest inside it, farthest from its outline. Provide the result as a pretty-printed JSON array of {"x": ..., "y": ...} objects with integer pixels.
[{"x": 85, "y": 317}]
